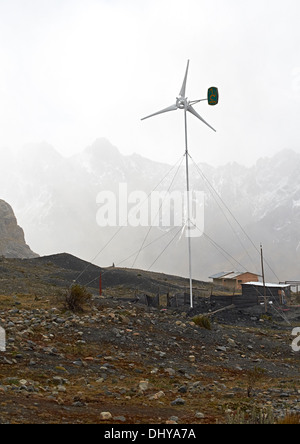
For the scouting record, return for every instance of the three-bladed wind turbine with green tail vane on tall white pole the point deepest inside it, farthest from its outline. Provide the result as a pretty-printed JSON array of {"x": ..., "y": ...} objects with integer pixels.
[{"x": 183, "y": 103}]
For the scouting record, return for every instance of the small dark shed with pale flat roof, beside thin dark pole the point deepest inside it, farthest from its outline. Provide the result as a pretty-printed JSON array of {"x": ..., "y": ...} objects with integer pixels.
[{"x": 276, "y": 293}]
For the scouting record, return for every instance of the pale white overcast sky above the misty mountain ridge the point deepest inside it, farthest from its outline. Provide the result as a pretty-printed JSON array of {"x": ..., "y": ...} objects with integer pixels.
[{"x": 75, "y": 70}]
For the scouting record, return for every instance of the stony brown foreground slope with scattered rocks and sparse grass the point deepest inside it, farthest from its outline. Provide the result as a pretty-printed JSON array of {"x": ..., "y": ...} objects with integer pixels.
[{"x": 121, "y": 362}]
